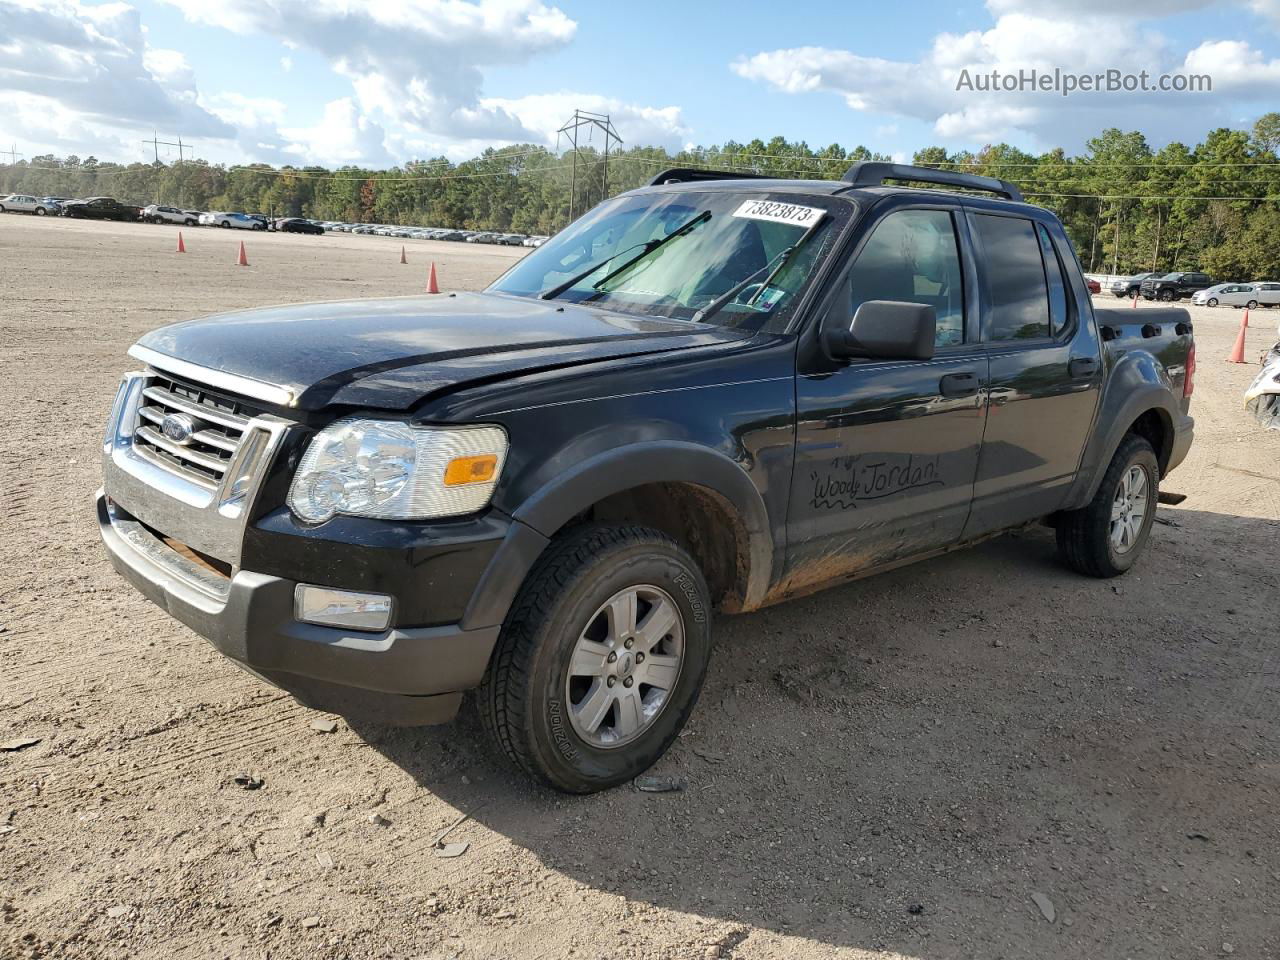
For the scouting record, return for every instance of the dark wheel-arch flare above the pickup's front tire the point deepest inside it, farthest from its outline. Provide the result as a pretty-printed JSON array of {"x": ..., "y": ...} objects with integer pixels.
[{"x": 621, "y": 469}]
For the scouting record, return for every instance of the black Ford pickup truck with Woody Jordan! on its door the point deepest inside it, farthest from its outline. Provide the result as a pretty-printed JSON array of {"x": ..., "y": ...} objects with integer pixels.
[{"x": 712, "y": 394}]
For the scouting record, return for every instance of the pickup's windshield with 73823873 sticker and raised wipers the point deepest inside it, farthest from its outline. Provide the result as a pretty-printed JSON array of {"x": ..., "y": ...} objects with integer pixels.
[{"x": 680, "y": 254}]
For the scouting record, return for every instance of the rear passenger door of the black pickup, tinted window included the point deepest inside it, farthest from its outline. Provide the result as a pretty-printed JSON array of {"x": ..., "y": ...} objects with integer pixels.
[{"x": 1045, "y": 376}]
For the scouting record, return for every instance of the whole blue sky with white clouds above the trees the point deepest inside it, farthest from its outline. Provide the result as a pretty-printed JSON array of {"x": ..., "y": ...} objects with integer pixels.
[{"x": 354, "y": 81}]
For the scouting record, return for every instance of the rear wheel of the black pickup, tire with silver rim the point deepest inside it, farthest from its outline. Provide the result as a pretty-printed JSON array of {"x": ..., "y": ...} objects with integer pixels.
[{"x": 1094, "y": 541}]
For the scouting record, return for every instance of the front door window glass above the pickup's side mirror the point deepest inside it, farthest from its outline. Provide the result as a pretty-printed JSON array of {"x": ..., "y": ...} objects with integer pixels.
[{"x": 912, "y": 257}]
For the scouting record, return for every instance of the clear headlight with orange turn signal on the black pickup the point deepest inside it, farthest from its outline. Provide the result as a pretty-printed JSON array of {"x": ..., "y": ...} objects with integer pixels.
[{"x": 395, "y": 472}]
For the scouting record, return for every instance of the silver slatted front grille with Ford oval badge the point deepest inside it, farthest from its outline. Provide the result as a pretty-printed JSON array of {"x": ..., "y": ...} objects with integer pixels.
[{"x": 220, "y": 423}]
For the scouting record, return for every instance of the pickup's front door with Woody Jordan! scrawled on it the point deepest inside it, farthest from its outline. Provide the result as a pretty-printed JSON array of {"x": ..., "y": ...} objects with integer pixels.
[{"x": 888, "y": 450}]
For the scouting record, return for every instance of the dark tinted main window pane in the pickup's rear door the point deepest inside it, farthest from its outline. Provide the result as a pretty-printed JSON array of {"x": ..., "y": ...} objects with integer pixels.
[{"x": 1016, "y": 276}]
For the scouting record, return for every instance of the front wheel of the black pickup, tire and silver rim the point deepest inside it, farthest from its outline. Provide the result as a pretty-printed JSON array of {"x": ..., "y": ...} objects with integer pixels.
[{"x": 601, "y": 660}]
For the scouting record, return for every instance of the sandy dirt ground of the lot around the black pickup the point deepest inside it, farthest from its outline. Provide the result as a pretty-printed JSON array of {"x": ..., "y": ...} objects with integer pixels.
[{"x": 886, "y": 770}]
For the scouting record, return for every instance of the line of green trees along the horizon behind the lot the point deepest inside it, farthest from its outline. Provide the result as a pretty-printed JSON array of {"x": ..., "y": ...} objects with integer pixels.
[{"x": 1214, "y": 207}]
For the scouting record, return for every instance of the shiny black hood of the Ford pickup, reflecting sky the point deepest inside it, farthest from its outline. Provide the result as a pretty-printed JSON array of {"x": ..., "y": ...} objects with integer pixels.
[{"x": 392, "y": 354}]
